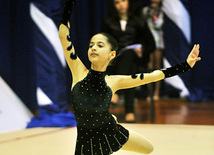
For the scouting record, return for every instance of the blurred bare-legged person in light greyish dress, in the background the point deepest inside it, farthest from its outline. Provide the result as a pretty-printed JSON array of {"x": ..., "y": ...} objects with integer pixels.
[{"x": 154, "y": 16}]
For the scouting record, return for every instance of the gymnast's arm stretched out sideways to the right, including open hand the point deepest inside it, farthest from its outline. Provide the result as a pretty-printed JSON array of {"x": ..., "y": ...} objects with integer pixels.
[{"x": 123, "y": 82}]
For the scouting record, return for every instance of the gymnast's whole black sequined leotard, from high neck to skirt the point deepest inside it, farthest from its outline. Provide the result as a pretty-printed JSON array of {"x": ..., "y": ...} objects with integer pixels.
[{"x": 98, "y": 132}]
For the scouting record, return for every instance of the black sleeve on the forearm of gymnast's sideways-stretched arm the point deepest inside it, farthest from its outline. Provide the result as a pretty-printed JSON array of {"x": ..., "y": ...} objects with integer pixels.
[{"x": 175, "y": 70}]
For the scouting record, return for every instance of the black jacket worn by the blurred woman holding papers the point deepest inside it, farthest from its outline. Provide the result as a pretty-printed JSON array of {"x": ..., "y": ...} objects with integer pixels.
[{"x": 136, "y": 31}]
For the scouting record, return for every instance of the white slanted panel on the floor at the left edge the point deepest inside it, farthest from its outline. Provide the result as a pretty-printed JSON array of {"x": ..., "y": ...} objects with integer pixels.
[{"x": 14, "y": 115}]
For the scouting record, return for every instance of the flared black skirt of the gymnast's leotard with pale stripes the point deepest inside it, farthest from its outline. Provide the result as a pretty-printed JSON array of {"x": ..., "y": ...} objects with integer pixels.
[{"x": 103, "y": 140}]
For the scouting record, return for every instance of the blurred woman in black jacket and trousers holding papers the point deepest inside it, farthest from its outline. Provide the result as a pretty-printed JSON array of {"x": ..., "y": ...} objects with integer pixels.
[{"x": 135, "y": 43}]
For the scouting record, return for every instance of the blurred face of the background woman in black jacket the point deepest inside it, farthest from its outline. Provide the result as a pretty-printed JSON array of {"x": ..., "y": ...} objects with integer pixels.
[{"x": 121, "y": 6}]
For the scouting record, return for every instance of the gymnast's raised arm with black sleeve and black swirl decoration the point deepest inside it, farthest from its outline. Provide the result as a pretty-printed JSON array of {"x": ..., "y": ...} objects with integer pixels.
[{"x": 77, "y": 68}]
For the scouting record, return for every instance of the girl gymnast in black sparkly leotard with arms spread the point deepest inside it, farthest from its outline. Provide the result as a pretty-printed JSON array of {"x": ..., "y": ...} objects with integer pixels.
[{"x": 98, "y": 131}]
